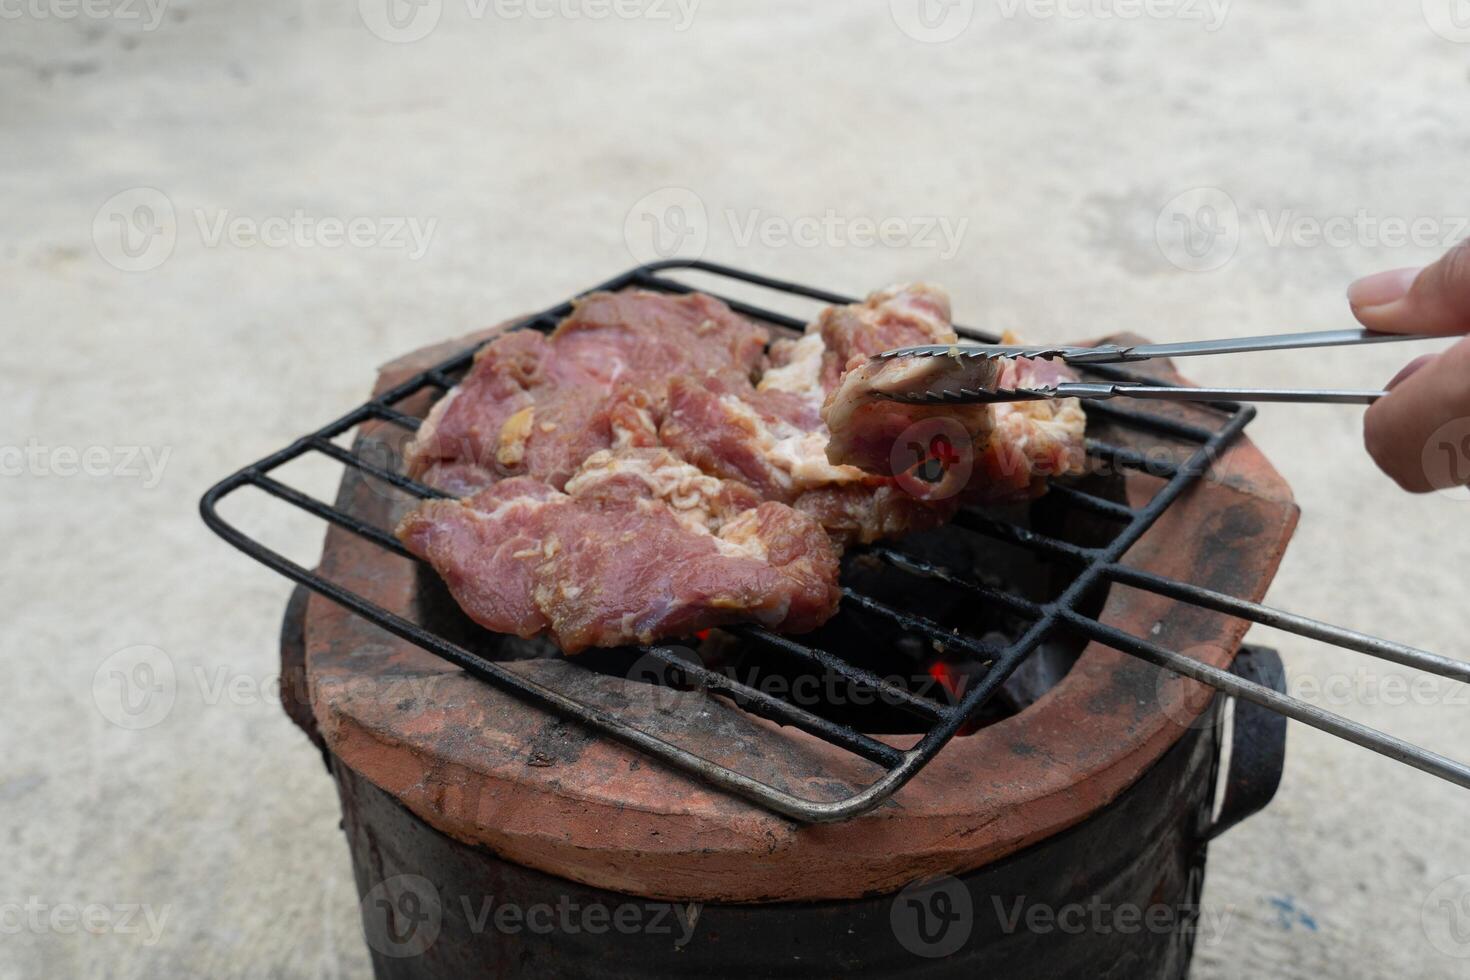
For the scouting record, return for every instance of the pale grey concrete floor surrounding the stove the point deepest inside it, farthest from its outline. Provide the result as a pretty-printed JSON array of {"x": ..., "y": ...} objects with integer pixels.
[{"x": 533, "y": 154}]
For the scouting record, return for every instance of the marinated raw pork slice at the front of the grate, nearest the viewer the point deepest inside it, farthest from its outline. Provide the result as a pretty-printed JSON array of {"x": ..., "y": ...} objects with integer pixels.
[{"x": 640, "y": 547}]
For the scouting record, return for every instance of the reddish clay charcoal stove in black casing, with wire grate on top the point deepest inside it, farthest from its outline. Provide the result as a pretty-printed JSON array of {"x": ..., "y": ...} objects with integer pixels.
[{"x": 1019, "y": 706}]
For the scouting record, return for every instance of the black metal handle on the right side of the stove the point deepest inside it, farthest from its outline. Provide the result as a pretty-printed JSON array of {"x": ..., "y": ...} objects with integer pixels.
[{"x": 1258, "y": 744}]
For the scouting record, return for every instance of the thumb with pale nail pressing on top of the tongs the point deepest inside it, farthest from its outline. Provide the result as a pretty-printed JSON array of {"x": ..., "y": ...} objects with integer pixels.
[{"x": 1431, "y": 300}]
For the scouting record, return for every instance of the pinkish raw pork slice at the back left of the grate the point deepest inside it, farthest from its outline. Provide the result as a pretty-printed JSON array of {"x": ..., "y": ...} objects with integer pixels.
[{"x": 539, "y": 406}]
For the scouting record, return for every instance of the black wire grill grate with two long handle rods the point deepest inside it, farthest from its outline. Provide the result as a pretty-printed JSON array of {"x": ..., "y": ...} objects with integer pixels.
[{"x": 1093, "y": 566}]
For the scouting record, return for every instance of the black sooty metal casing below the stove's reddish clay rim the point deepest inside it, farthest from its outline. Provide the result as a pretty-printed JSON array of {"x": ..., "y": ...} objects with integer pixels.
[{"x": 1115, "y": 896}]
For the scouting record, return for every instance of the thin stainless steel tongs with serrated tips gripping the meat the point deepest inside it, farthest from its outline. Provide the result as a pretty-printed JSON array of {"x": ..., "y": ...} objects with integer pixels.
[{"x": 984, "y": 389}]
